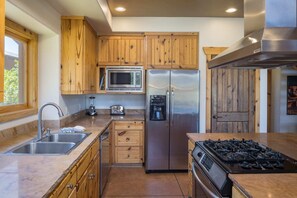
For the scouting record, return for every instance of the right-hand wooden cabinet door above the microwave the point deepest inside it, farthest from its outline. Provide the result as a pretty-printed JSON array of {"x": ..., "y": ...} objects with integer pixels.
[{"x": 132, "y": 48}]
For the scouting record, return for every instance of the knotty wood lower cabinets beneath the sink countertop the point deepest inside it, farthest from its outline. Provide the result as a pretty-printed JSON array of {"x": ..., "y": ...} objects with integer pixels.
[{"x": 83, "y": 180}]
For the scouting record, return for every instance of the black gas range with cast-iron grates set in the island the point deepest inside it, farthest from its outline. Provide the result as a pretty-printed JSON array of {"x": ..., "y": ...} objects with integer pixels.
[{"x": 217, "y": 159}]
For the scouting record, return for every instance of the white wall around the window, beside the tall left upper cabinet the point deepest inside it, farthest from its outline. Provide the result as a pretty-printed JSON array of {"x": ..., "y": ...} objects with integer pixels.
[{"x": 44, "y": 20}]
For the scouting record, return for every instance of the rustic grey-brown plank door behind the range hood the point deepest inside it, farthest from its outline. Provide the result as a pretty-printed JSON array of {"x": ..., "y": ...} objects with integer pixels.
[{"x": 232, "y": 100}]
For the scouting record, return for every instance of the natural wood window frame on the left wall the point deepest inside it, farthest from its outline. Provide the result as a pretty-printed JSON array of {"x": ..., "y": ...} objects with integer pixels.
[{"x": 13, "y": 112}]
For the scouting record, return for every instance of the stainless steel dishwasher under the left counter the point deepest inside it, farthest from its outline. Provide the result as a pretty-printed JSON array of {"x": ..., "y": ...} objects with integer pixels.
[{"x": 104, "y": 159}]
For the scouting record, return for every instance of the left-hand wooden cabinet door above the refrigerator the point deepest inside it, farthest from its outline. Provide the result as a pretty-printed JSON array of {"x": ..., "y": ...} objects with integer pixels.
[{"x": 158, "y": 52}]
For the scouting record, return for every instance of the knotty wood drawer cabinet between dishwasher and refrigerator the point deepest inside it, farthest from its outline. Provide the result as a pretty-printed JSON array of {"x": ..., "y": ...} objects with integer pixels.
[{"x": 128, "y": 142}]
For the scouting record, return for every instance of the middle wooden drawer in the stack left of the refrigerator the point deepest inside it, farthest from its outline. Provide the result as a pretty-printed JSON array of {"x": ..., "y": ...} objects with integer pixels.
[{"x": 128, "y": 138}]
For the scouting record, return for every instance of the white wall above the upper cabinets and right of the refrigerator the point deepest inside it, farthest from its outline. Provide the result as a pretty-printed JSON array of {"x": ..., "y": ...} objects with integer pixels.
[{"x": 213, "y": 32}]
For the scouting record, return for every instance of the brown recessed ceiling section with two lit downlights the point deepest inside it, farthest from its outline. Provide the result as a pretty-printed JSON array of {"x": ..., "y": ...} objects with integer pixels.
[{"x": 176, "y": 8}]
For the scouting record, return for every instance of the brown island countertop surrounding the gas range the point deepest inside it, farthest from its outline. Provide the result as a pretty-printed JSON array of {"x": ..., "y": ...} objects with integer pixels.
[{"x": 262, "y": 185}]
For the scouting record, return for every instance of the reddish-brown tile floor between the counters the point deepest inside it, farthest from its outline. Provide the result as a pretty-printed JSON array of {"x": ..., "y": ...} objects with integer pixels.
[{"x": 133, "y": 182}]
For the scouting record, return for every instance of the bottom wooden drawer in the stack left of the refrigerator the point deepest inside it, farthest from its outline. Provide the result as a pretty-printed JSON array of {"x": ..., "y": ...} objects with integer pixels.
[{"x": 128, "y": 154}]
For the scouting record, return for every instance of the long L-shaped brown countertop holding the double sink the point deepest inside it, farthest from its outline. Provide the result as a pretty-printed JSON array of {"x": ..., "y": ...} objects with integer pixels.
[{"x": 38, "y": 175}]
